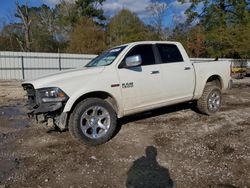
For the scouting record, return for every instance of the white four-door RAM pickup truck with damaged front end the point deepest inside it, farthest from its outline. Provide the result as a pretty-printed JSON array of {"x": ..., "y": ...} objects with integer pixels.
[{"x": 125, "y": 80}]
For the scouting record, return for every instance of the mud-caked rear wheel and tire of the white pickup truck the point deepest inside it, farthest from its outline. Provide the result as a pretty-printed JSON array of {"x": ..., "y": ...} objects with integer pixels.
[{"x": 210, "y": 101}]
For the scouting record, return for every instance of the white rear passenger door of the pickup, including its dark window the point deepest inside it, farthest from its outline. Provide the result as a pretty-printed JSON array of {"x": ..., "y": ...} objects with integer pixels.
[{"x": 178, "y": 75}]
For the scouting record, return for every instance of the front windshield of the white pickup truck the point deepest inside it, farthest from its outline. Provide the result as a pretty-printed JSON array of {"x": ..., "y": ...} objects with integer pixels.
[{"x": 105, "y": 58}]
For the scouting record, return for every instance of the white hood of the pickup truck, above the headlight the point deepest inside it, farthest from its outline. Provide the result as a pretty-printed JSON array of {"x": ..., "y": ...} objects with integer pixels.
[{"x": 56, "y": 79}]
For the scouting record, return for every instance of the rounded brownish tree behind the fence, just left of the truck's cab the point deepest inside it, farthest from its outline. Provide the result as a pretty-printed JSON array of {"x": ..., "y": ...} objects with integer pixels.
[{"x": 87, "y": 37}]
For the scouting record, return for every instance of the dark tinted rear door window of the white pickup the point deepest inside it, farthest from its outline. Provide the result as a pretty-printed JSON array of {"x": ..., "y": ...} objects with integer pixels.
[{"x": 169, "y": 53}]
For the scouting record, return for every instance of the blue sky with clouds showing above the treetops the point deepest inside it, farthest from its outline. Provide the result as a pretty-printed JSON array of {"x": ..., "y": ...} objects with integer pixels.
[{"x": 175, "y": 11}]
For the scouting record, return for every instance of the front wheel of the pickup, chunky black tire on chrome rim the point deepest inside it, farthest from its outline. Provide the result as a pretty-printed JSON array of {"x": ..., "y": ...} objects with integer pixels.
[{"x": 93, "y": 122}]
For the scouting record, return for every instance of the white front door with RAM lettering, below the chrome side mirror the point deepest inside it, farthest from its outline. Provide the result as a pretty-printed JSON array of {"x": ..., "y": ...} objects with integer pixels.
[{"x": 141, "y": 85}]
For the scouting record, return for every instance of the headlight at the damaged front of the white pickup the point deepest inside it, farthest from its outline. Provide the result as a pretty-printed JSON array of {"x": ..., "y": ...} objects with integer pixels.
[{"x": 52, "y": 94}]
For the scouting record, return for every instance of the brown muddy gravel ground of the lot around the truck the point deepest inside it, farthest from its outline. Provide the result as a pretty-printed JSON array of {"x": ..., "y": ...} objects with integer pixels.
[{"x": 183, "y": 148}]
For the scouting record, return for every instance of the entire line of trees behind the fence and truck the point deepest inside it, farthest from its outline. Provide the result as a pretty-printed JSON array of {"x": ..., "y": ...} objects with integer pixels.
[{"x": 214, "y": 28}]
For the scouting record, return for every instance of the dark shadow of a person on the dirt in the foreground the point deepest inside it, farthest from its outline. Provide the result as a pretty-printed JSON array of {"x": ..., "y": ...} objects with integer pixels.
[{"x": 147, "y": 173}]
